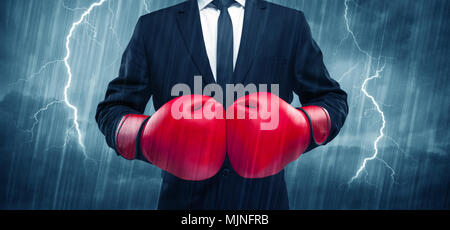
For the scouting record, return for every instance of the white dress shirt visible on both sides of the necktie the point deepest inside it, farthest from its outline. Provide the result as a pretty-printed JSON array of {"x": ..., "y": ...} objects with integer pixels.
[{"x": 209, "y": 17}]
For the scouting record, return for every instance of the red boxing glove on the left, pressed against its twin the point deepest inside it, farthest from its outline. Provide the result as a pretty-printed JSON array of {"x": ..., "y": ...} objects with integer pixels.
[{"x": 185, "y": 137}]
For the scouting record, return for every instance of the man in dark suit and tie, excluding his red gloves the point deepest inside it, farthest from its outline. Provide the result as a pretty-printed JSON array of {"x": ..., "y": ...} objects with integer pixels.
[{"x": 271, "y": 45}]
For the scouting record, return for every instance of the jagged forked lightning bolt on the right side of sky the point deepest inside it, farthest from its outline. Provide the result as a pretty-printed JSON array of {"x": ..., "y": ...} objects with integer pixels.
[{"x": 377, "y": 74}]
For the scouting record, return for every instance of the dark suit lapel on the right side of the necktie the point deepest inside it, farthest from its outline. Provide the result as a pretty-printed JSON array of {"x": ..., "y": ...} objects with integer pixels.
[{"x": 254, "y": 20}]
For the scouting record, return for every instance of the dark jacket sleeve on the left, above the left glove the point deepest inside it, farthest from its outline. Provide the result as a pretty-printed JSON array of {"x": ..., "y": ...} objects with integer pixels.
[{"x": 130, "y": 92}]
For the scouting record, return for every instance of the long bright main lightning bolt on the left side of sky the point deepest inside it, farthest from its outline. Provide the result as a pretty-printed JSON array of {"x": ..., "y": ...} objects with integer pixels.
[{"x": 76, "y": 125}]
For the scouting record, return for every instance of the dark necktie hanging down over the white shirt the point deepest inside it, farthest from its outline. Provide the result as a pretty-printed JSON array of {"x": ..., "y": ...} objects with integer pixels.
[{"x": 224, "y": 44}]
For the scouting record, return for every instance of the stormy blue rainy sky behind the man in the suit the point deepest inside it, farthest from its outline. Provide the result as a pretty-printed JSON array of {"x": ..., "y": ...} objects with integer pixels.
[{"x": 42, "y": 165}]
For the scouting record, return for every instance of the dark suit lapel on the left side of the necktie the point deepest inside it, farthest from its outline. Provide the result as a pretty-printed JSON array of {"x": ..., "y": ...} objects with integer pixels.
[{"x": 188, "y": 18}]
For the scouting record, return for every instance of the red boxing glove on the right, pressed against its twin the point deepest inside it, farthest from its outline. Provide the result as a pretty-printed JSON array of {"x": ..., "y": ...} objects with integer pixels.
[{"x": 265, "y": 133}]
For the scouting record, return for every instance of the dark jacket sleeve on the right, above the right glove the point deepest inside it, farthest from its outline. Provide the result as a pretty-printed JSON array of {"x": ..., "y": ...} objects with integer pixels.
[{"x": 313, "y": 84}]
